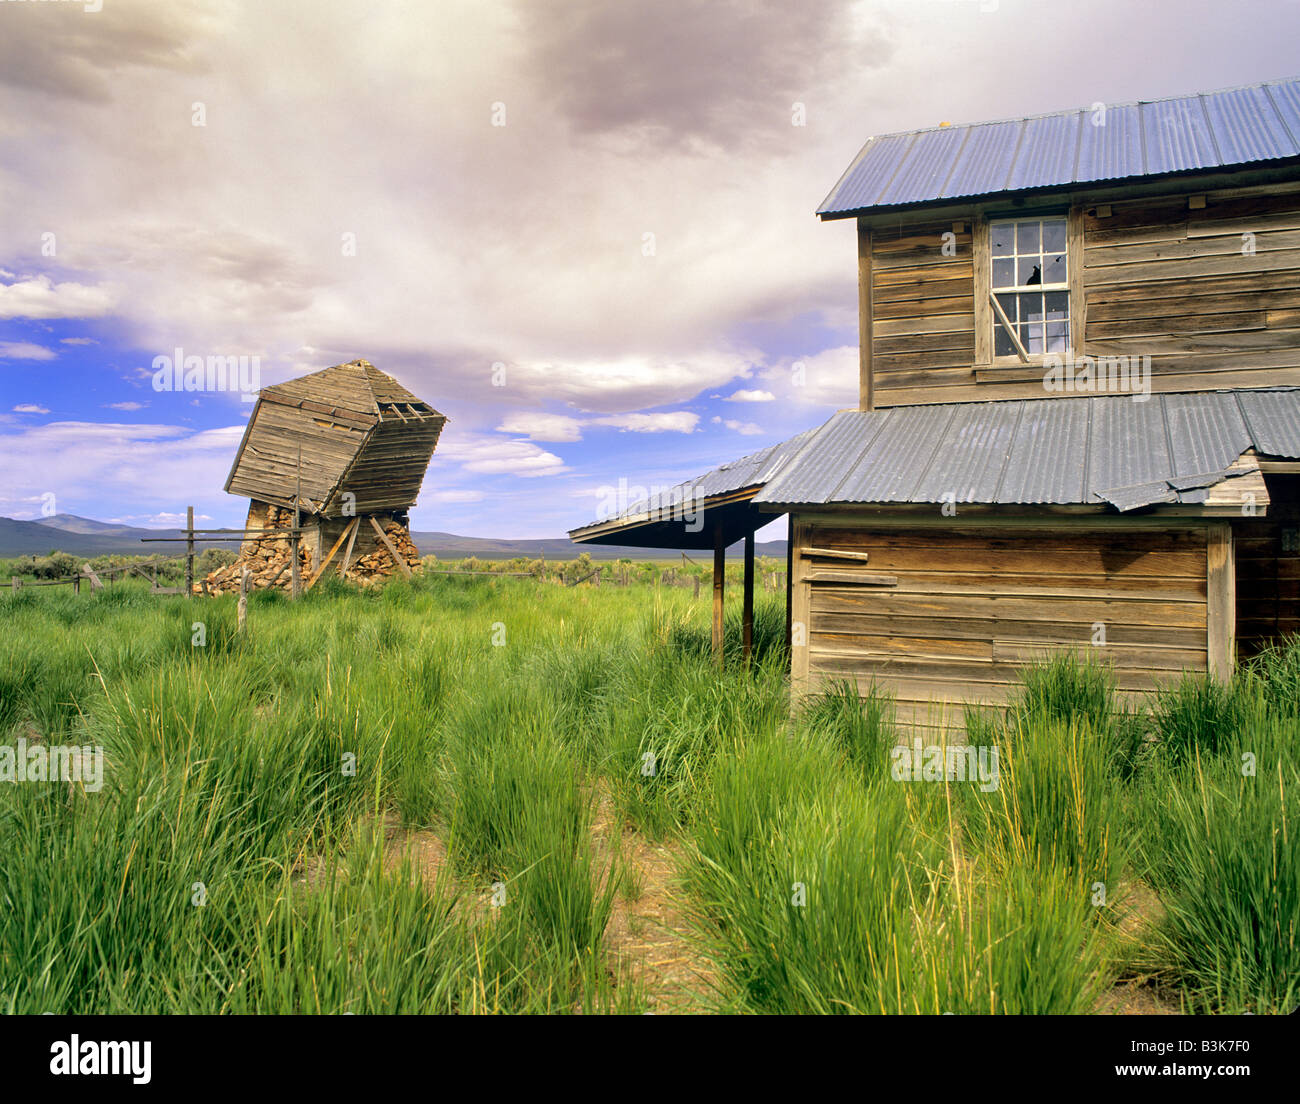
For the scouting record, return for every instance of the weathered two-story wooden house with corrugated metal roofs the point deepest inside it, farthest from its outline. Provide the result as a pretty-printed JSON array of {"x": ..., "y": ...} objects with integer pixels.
[{"x": 1080, "y": 418}]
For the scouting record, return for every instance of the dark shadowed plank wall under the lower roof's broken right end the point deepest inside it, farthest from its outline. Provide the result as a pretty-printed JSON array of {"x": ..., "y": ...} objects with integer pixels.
[{"x": 1268, "y": 569}]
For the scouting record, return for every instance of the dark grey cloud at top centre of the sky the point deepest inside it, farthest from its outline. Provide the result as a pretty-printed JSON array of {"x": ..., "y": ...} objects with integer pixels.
[{"x": 691, "y": 73}]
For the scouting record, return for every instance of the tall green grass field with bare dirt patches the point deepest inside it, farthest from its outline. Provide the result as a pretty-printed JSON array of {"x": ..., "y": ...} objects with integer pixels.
[{"x": 497, "y": 795}]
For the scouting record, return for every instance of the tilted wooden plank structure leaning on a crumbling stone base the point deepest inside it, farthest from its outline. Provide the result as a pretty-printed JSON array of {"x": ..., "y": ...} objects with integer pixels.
[{"x": 349, "y": 448}]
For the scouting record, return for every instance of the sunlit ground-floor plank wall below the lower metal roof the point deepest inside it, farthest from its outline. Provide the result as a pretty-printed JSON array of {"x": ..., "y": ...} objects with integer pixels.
[{"x": 974, "y": 604}]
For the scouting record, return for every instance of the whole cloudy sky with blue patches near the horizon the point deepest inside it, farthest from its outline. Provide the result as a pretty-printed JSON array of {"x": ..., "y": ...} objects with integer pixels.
[{"x": 612, "y": 201}]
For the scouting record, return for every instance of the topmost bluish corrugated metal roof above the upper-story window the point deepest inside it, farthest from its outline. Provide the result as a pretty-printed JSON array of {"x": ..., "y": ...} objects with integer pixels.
[{"x": 1234, "y": 127}]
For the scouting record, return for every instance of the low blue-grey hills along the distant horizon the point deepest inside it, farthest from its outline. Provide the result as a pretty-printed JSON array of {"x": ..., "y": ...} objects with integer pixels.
[{"x": 85, "y": 536}]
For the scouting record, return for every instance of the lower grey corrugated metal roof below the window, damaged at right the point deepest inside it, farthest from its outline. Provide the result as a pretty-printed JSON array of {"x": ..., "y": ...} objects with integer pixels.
[{"x": 1041, "y": 452}]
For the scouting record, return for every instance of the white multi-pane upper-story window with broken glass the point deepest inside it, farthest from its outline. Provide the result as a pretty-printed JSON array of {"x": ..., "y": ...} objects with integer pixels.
[{"x": 1032, "y": 287}]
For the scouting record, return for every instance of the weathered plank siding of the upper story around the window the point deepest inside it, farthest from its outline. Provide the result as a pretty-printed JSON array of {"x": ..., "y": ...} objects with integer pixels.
[{"x": 1160, "y": 279}]
